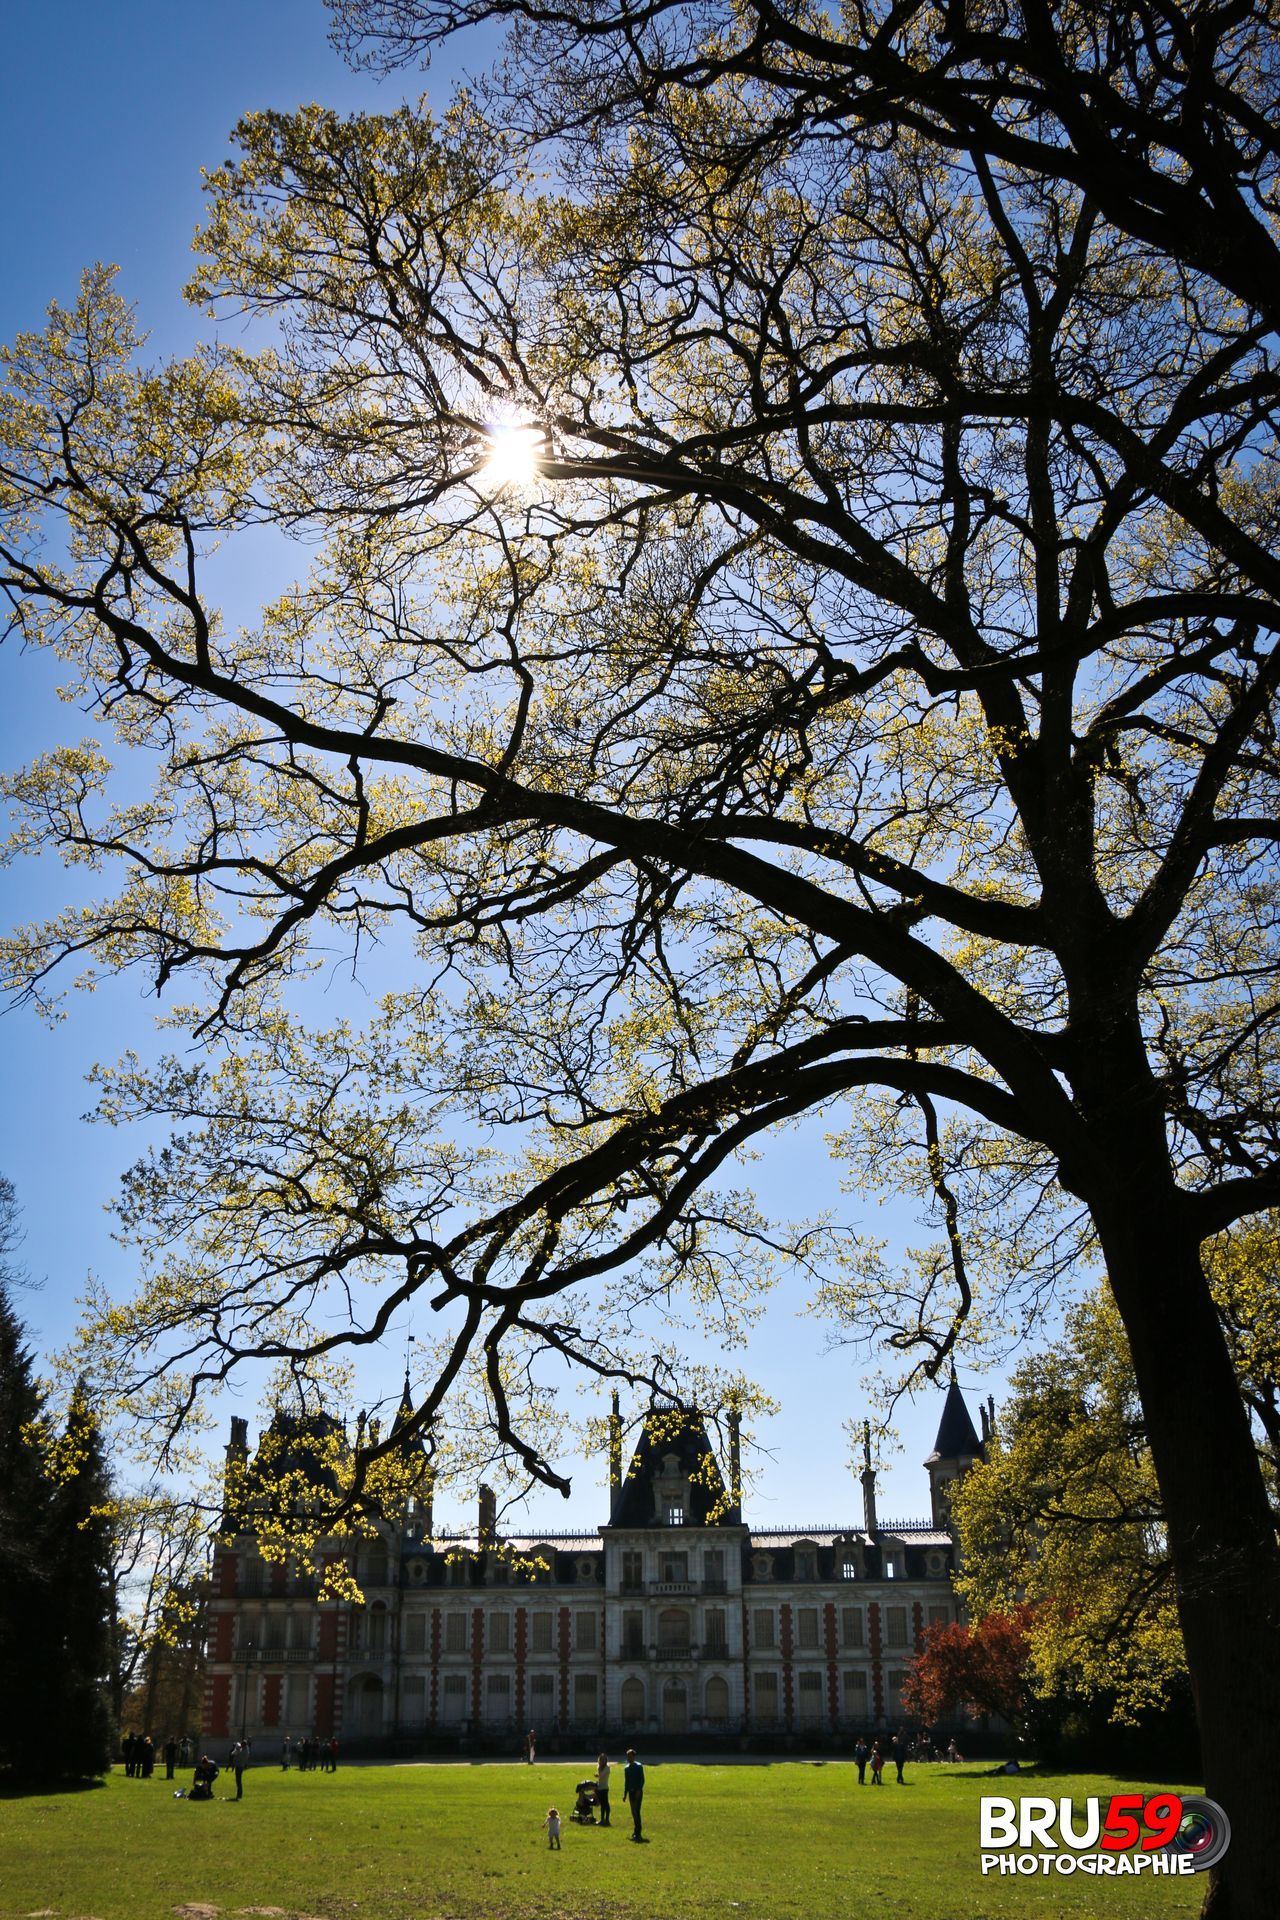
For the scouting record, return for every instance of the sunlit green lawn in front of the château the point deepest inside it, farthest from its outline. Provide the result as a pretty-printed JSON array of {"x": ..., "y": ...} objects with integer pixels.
[{"x": 770, "y": 1842}]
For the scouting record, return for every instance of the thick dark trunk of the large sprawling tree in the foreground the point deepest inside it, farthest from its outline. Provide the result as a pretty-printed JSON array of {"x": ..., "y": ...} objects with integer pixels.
[{"x": 1221, "y": 1529}]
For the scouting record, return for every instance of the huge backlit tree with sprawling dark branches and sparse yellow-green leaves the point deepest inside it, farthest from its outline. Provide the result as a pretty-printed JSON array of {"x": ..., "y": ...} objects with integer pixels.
[{"x": 794, "y": 631}]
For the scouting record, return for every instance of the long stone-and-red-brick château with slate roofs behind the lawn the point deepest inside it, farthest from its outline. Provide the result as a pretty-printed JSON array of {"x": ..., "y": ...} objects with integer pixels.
[{"x": 675, "y": 1620}]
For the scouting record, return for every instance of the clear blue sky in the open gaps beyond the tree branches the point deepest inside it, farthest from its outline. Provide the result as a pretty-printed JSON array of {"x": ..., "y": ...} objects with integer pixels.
[{"x": 110, "y": 112}]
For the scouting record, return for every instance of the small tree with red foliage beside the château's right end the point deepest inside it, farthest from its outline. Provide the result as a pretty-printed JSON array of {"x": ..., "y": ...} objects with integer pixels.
[{"x": 985, "y": 1666}]
